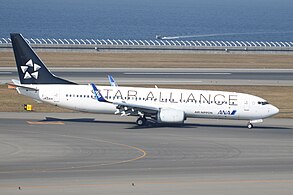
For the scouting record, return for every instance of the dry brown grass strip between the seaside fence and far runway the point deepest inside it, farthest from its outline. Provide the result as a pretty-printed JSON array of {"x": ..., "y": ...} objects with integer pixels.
[{"x": 158, "y": 60}]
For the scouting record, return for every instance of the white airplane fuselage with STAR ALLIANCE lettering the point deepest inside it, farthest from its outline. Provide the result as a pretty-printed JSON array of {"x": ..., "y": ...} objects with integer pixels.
[{"x": 194, "y": 103}]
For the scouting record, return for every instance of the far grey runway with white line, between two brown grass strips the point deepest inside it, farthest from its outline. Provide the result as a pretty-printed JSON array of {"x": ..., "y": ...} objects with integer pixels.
[{"x": 279, "y": 77}]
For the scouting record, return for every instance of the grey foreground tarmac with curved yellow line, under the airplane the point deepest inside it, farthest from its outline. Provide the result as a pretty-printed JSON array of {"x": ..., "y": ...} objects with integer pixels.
[{"x": 75, "y": 153}]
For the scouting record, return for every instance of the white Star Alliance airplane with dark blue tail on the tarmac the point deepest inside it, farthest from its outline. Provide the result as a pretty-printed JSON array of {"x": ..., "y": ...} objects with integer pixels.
[{"x": 161, "y": 105}]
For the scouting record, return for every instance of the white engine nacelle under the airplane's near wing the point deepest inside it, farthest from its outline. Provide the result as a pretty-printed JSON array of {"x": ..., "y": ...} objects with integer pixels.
[{"x": 168, "y": 115}]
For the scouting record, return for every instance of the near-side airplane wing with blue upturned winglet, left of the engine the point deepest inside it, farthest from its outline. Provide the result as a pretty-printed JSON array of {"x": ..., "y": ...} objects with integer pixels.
[{"x": 125, "y": 108}]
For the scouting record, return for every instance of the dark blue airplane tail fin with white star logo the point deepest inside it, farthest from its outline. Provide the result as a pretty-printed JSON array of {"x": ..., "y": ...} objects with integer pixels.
[{"x": 31, "y": 69}]
